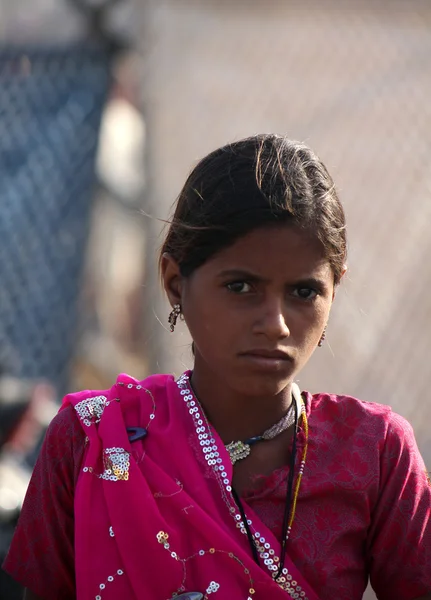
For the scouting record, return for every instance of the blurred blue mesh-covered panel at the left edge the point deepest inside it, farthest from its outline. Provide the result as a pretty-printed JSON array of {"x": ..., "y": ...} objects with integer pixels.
[{"x": 50, "y": 108}]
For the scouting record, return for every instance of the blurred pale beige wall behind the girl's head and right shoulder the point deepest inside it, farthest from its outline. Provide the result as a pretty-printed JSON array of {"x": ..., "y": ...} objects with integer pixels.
[{"x": 352, "y": 79}]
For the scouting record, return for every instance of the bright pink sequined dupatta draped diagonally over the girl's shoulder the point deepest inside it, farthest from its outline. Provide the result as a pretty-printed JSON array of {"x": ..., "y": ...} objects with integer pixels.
[{"x": 155, "y": 518}]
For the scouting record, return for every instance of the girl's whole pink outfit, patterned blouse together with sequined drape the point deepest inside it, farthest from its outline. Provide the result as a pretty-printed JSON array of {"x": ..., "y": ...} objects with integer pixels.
[{"x": 98, "y": 509}]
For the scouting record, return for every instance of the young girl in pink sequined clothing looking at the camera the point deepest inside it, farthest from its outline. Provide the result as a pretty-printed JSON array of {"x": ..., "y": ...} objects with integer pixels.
[{"x": 229, "y": 483}]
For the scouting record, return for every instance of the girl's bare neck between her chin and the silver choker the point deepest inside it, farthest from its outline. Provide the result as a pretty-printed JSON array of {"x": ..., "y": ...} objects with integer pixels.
[{"x": 237, "y": 416}]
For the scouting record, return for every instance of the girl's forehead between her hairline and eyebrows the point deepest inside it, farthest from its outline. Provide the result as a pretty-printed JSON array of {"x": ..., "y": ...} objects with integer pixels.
[{"x": 275, "y": 251}]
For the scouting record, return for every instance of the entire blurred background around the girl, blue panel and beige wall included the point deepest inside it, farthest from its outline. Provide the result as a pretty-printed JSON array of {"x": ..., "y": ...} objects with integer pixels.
[{"x": 105, "y": 106}]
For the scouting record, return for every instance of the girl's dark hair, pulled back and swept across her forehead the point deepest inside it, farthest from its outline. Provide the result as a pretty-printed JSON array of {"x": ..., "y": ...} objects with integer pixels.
[{"x": 259, "y": 181}]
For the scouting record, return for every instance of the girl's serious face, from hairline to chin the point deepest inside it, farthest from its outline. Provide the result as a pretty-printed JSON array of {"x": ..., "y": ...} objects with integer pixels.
[{"x": 257, "y": 309}]
